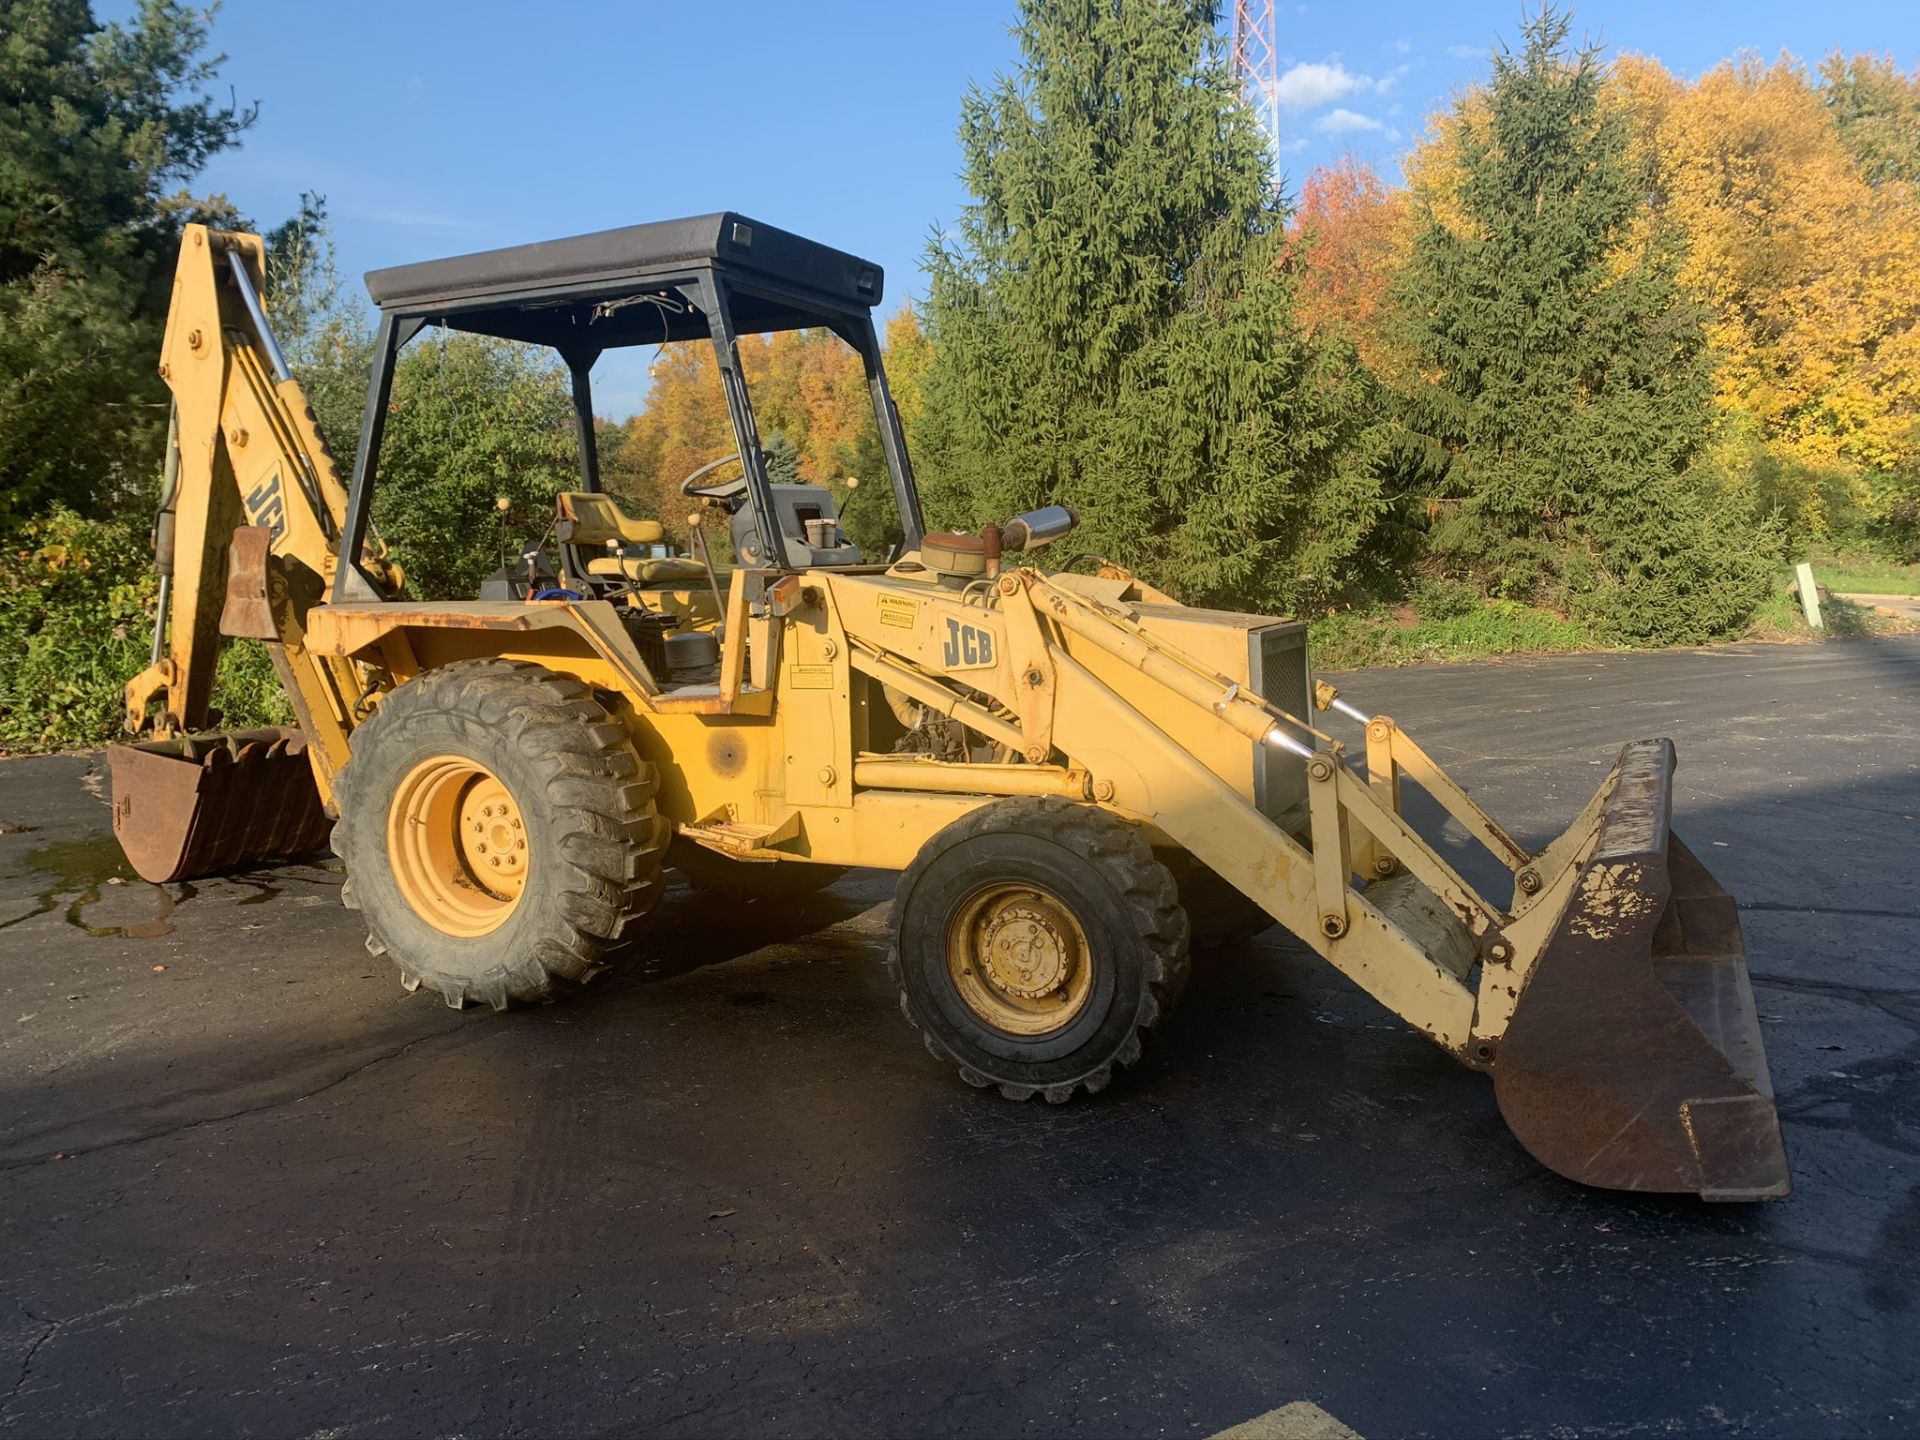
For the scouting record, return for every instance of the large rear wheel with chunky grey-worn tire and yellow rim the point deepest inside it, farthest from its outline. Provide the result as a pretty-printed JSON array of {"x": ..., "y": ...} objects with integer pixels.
[{"x": 506, "y": 752}]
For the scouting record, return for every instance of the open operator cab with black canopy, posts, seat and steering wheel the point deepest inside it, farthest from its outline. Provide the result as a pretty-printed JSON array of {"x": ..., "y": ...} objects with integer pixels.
[{"x": 704, "y": 279}]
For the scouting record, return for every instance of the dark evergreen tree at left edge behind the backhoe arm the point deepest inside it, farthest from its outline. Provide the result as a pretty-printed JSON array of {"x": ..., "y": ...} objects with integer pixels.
[{"x": 99, "y": 126}]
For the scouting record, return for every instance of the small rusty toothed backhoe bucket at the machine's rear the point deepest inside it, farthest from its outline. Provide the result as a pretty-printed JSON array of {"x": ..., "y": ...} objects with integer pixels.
[{"x": 208, "y": 804}]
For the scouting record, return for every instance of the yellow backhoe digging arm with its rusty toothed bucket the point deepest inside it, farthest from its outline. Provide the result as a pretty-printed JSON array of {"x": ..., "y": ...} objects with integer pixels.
[{"x": 247, "y": 542}]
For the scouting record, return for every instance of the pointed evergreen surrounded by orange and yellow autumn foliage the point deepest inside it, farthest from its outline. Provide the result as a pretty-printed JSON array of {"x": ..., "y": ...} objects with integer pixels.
[{"x": 1562, "y": 381}]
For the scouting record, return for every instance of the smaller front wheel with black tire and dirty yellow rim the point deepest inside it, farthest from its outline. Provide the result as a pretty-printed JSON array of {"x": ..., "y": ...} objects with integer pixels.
[{"x": 1038, "y": 946}]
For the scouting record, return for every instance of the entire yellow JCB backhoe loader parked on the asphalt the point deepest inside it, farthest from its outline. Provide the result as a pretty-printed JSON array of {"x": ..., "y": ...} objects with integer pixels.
[{"x": 1072, "y": 773}]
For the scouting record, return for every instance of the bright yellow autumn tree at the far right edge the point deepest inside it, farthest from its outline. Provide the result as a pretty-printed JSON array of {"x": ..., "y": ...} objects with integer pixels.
[{"x": 1810, "y": 274}]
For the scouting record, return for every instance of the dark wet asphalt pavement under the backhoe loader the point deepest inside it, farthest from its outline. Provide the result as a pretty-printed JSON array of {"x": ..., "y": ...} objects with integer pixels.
[{"x": 251, "y": 1188}]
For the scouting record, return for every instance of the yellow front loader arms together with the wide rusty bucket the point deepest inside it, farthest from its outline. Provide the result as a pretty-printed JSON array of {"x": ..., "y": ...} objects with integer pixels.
[{"x": 1608, "y": 996}]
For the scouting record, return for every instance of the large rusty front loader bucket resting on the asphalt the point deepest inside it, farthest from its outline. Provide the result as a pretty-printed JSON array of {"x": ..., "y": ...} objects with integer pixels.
[{"x": 1635, "y": 1059}]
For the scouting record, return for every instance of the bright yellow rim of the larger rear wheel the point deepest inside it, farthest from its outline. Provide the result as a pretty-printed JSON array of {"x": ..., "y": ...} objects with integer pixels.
[{"x": 458, "y": 846}]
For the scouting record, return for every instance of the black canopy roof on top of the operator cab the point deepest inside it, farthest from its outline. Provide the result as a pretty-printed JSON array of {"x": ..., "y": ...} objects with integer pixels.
[{"x": 615, "y": 287}]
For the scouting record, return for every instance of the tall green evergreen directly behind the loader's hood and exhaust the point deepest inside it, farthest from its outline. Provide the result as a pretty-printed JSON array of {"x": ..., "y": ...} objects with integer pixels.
[{"x": 1113, "y": 327}]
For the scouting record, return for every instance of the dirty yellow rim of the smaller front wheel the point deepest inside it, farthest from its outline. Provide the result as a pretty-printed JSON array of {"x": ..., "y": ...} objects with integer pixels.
[{"x": 1020, "y": 959}]
